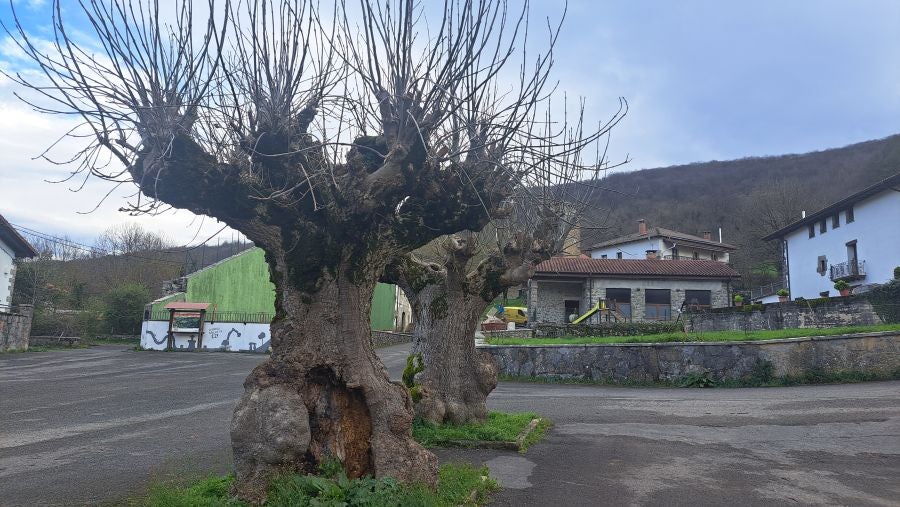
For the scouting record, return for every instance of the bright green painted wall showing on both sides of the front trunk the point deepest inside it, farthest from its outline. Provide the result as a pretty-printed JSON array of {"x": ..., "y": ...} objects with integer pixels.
[{"x": 241, "y": 284}]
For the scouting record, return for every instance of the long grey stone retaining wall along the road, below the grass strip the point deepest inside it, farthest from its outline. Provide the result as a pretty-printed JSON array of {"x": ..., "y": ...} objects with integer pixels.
[{"x": 870, "y": 352}]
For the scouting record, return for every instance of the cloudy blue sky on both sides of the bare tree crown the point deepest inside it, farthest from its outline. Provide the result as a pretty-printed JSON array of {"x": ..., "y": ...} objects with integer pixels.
[{"x": 706, "y": 80}]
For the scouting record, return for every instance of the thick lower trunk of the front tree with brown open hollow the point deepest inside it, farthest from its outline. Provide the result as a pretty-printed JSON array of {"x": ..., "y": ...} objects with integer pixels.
[{"x": 324, "y": 393}]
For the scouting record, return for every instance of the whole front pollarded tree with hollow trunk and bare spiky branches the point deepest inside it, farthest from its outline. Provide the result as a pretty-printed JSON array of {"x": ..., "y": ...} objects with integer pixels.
[{"x": 335, "y": 141}]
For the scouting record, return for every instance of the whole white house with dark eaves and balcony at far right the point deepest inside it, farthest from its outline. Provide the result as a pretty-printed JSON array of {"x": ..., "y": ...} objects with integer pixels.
[{"x": 856, "y": 239}]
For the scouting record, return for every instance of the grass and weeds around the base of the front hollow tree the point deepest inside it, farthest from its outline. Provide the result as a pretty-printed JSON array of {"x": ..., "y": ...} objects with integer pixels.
[{"x": 458, "y": 484}]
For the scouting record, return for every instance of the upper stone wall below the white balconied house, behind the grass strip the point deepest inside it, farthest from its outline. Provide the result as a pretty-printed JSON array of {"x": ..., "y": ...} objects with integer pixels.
[{"x": 835, "y": 312}]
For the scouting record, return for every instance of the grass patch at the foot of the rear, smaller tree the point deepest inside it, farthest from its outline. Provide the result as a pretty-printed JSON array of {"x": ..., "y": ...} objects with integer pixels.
[{"x": 499, "y": 427}]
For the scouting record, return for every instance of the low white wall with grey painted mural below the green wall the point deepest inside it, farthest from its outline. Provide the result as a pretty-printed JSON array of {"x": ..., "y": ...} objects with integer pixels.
[{"x": 218, "y": 336}]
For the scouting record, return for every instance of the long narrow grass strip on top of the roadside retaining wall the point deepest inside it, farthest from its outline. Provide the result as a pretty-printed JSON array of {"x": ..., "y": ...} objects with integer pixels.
[{"x": 712, "y": 336}]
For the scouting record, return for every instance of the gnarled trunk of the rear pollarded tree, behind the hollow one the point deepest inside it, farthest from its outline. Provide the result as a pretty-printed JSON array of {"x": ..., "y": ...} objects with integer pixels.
[{"x": 448, "y": 300}]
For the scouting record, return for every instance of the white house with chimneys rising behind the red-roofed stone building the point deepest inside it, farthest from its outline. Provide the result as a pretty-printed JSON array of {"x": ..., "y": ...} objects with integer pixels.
[{"x": 663, "y": 243}]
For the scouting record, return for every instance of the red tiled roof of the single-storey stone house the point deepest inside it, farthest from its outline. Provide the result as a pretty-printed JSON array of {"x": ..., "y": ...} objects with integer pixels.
[{"x": 635, "y": 268}]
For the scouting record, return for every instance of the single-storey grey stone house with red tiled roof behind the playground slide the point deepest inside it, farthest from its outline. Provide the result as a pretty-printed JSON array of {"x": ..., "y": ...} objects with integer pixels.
[{"x": 640, "y": 290}]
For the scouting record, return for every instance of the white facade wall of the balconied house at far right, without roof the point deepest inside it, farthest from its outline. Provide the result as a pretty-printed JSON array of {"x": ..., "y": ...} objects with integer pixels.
[{"x": 876, "y": 229}]
